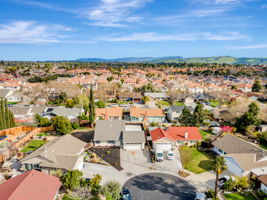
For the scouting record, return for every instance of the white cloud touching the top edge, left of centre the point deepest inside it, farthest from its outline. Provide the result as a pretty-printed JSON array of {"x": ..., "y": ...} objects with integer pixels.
[{"x": 114, "y": 13}]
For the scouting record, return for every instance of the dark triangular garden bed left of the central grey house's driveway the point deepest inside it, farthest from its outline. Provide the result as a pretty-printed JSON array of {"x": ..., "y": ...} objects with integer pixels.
[{"x": 109, "y": 154}]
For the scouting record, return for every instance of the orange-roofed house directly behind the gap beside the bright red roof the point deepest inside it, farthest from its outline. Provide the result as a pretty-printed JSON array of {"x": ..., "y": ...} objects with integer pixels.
[{"x": 146, "y": 115}]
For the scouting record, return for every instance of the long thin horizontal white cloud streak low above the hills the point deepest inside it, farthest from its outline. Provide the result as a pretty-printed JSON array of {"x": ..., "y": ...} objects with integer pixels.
[{"x": 155, "y": 37}]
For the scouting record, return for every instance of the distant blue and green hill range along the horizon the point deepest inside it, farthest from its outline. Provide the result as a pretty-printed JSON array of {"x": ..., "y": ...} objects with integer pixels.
[{"x": 179, "y": 59}]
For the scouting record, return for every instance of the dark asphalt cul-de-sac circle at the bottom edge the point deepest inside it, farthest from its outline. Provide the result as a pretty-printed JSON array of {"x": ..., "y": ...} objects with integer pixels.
[{"x": 159, "y": 186}]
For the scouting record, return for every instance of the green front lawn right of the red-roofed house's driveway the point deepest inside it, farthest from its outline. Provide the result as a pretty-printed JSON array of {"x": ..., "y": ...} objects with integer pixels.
[{"x": 196, "y": 161}]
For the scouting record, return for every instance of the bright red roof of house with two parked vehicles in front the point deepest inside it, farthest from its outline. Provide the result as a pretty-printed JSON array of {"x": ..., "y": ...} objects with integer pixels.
[{"x": 176, "y": 133}]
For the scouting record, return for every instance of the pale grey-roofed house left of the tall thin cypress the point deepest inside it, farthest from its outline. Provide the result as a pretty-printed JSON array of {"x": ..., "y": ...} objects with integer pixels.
[{"x": 71, "y": 113}]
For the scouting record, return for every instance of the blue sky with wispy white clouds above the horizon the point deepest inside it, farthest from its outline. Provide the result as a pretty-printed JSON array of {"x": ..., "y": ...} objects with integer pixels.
[{"x": 71, "y": 29}]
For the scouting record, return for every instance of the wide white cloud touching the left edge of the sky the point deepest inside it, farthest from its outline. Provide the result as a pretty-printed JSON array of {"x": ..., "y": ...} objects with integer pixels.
[{"x": 30, "y": 32}]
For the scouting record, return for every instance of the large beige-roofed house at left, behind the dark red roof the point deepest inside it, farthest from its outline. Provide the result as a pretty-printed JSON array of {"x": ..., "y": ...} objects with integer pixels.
[{"x": 64, "y": 153}]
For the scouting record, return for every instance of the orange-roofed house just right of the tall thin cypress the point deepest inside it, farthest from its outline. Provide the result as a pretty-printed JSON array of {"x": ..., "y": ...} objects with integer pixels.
[{"x": 109, "y": 113}]
